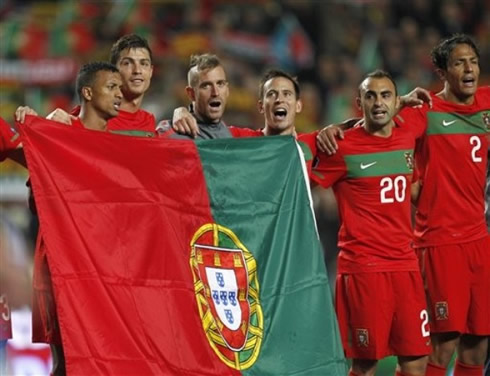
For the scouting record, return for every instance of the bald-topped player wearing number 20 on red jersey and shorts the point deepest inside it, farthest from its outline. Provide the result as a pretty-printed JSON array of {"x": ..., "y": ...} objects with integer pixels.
[{"x": 379, "y": 291}]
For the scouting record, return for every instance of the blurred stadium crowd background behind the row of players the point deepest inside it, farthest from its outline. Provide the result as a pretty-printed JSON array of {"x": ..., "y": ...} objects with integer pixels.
[{"x": 328, "y": 44}]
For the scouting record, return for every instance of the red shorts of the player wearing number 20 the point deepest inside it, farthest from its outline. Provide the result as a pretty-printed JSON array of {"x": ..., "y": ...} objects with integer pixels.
[{"x": 382, "y": 314}]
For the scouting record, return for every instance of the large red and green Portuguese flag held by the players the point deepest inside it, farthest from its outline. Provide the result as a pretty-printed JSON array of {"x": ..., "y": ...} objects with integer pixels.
[{"x": 179, "y": 258}]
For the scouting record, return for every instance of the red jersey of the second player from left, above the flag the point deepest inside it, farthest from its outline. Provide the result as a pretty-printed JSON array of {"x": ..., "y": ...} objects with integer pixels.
[{"x": 136, "y": 123}]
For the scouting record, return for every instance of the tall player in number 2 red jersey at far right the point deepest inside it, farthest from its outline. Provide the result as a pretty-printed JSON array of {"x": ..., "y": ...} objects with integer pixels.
[{"x": 451, "y": 236}]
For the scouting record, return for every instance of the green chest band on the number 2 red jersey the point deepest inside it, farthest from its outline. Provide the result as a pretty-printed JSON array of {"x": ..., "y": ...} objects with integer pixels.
[{"x": 451, "y": 123}]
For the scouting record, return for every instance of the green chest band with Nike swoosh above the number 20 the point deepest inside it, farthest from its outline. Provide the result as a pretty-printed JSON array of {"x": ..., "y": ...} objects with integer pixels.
[{"x": 378, "y": 164}]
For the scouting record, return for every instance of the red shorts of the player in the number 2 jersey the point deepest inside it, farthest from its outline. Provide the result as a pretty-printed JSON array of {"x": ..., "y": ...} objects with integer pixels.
[{"x": 459, "y": 304}]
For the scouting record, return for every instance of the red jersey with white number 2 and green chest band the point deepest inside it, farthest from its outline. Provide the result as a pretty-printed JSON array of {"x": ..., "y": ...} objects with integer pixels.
[{"x": 451, "y": 159}]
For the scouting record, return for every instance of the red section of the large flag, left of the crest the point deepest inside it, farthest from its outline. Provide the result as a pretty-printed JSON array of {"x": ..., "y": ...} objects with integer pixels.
[{"x": 103, "y": 330}]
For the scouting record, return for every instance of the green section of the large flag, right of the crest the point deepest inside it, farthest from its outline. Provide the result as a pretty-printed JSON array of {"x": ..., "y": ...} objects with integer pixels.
[{"x": 267, "y": 206}]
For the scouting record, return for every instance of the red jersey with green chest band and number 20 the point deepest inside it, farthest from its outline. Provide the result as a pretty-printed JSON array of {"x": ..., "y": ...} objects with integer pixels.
[{"x": 371, "y": 178}]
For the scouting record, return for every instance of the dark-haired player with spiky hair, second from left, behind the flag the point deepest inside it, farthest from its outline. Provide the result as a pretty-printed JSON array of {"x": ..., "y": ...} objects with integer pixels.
[{"x": 133, "y": 57}]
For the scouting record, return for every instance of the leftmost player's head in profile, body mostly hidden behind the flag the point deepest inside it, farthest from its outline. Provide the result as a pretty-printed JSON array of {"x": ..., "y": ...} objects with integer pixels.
[{"x": 99, "y": 87}]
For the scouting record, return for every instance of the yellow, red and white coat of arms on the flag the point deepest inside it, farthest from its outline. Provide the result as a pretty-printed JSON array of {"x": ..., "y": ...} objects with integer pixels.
[{"x": 227, "y": 295}]
